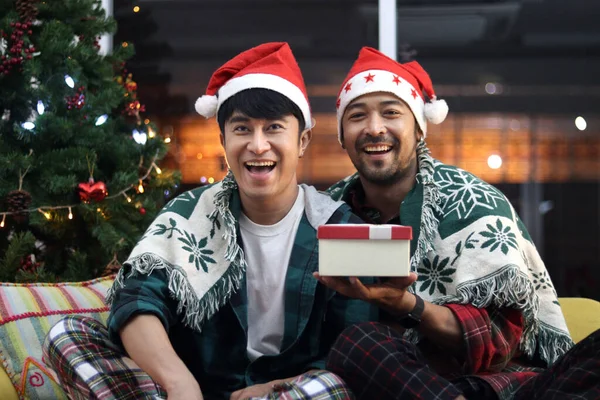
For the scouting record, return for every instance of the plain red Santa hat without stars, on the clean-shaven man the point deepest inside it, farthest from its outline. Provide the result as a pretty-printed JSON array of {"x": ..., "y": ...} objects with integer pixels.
[{"x": 267, "y": 66}]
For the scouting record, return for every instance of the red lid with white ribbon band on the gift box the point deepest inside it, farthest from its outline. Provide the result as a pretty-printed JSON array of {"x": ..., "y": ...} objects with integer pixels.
[{"x": 364, "y": 232}]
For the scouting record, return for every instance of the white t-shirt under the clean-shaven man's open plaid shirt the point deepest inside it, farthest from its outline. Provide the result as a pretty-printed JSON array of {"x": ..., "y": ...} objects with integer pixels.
[{"x": 268, "y": 249}]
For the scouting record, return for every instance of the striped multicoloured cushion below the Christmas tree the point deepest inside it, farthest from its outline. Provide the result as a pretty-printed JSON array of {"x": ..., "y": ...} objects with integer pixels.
[{"x": 27, "y": 312}]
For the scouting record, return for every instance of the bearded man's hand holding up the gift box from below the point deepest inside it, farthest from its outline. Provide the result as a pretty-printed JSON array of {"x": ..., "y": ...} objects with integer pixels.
[{"x": 389, "y": 295}]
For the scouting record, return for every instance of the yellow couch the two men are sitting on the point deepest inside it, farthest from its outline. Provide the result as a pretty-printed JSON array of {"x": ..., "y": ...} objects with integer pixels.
[{"x": 582, "y": 315}]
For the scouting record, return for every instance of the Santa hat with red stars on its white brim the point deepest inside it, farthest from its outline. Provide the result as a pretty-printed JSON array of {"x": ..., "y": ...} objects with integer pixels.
[{"x": 373, "y": 72}]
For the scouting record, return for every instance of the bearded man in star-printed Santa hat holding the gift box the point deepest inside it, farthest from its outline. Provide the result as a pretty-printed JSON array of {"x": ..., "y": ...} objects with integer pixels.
[{"x": 474, "y": 318}]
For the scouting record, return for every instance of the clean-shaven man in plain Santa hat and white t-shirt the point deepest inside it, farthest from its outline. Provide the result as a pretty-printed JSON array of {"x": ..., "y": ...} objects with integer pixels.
[{"x": 217, "y": 300}]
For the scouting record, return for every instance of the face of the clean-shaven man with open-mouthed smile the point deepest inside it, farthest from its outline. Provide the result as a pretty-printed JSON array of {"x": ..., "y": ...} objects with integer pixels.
[{"x": 263, "y": 154}]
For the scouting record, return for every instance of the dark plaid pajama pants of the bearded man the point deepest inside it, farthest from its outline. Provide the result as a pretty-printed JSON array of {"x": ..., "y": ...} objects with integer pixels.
[{"x": 377, "y": 363}]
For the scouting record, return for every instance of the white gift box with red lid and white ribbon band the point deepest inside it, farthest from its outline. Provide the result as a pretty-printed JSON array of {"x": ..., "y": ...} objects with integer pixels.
[{"x": 364, "y": 250}]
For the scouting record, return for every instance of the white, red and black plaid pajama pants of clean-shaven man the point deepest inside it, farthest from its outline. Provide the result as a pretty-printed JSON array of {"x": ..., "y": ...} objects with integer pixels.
[{"x": 90, "y": 366}]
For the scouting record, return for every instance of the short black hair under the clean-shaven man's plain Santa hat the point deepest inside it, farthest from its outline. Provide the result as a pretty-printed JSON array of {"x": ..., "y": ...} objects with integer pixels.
[{"x": 259, "y": 103}]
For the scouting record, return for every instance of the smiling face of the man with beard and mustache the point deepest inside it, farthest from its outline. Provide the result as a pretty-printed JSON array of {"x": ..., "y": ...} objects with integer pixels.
[{"x": 380, "y": 136}]
